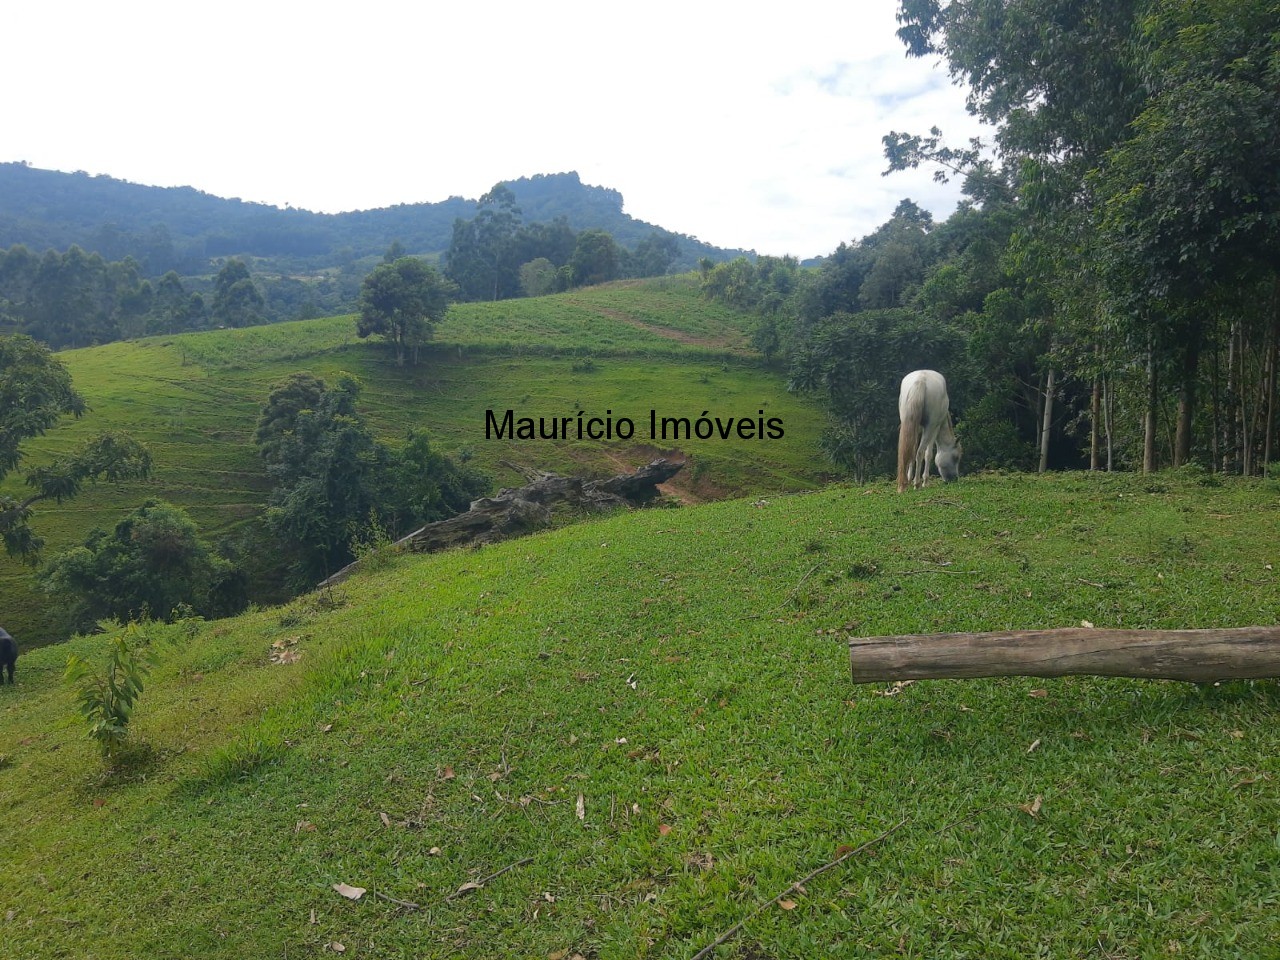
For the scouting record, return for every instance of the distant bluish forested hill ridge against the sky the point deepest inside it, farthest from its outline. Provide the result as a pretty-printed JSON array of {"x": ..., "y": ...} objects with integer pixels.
[{"x": 182, "y": 228}]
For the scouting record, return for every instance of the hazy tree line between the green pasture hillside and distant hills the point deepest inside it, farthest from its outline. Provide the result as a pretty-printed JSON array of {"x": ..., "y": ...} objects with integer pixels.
[{"x": 79, "y": 299}]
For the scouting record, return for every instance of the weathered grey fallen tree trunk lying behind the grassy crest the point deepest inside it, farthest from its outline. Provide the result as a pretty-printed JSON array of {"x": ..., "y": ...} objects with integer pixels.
[{"x": 514, "y": 513}]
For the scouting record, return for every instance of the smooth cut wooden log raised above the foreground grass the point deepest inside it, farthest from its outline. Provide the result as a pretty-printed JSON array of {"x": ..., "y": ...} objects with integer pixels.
[{"x": 1203, "y": 656}]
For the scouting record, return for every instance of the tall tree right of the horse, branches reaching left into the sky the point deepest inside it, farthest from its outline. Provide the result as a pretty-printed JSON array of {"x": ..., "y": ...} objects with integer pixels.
[{"x": 1059, "y": 81}]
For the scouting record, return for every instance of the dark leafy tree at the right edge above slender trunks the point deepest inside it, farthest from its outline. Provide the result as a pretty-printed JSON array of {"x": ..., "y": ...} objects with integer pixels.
[{"x": 1191, "y": 214}]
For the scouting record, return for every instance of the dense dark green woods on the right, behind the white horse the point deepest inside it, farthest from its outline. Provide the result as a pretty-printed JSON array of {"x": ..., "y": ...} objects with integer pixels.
[{"x": 1109, "y": 294}]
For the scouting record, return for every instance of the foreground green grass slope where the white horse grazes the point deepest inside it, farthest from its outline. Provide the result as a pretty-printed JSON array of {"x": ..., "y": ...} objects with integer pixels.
[{"x": 685, "y": 673}]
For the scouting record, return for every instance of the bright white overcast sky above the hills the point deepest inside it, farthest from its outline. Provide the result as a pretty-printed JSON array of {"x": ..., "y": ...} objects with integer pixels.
[{"x": 743, "y": 129}]
